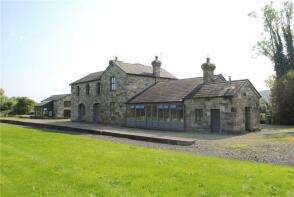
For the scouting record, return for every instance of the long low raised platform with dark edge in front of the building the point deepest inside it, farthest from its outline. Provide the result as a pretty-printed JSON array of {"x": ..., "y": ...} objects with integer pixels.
[{"x": 166, "y": 137}]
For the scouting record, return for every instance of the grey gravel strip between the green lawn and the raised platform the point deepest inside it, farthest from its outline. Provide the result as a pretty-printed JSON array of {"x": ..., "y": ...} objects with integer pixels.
[{"x": 281, "y": 153}]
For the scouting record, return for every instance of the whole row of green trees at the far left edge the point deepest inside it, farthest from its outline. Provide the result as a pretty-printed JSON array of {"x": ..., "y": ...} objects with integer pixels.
[{"x": 15, "y": 105}]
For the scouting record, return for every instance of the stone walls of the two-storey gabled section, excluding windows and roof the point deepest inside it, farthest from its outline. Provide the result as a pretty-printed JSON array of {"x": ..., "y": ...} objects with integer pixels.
[{"x": 127, "y": 86}]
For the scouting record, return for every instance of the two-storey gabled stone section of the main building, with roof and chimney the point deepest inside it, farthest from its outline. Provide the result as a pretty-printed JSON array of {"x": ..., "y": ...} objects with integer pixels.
[{"x": 101, "y": 97}]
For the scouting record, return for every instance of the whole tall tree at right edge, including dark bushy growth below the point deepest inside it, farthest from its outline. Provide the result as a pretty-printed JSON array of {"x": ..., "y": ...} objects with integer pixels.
[{"x": 277, "y": 44}]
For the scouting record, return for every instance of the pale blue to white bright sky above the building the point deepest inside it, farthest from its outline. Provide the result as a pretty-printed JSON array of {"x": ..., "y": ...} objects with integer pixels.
[{"x": 46, "y": 45}]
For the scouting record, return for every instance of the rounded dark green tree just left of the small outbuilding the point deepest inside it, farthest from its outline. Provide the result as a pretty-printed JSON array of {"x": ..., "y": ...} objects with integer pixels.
[{"x": 24, "y": 105}]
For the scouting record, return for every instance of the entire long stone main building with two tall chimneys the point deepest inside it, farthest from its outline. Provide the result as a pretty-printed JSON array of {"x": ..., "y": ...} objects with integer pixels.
[{"x": 141, "y": 96}]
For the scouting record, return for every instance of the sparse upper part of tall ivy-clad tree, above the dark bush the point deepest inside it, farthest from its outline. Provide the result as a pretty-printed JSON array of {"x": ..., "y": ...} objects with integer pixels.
[{"x": 277, "y": 42}]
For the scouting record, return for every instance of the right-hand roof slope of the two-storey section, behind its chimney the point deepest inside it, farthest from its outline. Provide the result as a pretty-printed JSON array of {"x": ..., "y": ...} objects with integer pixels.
[{"x": 139, "y": 69}]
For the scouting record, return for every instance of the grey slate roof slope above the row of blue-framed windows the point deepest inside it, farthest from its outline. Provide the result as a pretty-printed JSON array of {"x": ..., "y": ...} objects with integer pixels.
[{"x": 169, "y": 91}]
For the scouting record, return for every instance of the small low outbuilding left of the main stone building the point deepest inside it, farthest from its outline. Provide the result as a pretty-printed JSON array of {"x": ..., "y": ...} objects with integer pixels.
[{"x": 56, "y": 106}]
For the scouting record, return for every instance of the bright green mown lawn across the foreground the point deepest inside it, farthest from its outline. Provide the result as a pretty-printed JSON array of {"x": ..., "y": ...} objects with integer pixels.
[{"x": 35, "y": 163}]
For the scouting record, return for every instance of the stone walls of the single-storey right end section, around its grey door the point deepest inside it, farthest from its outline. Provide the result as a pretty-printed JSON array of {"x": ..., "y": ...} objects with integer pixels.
[{"x": 232, "y": 112}]
